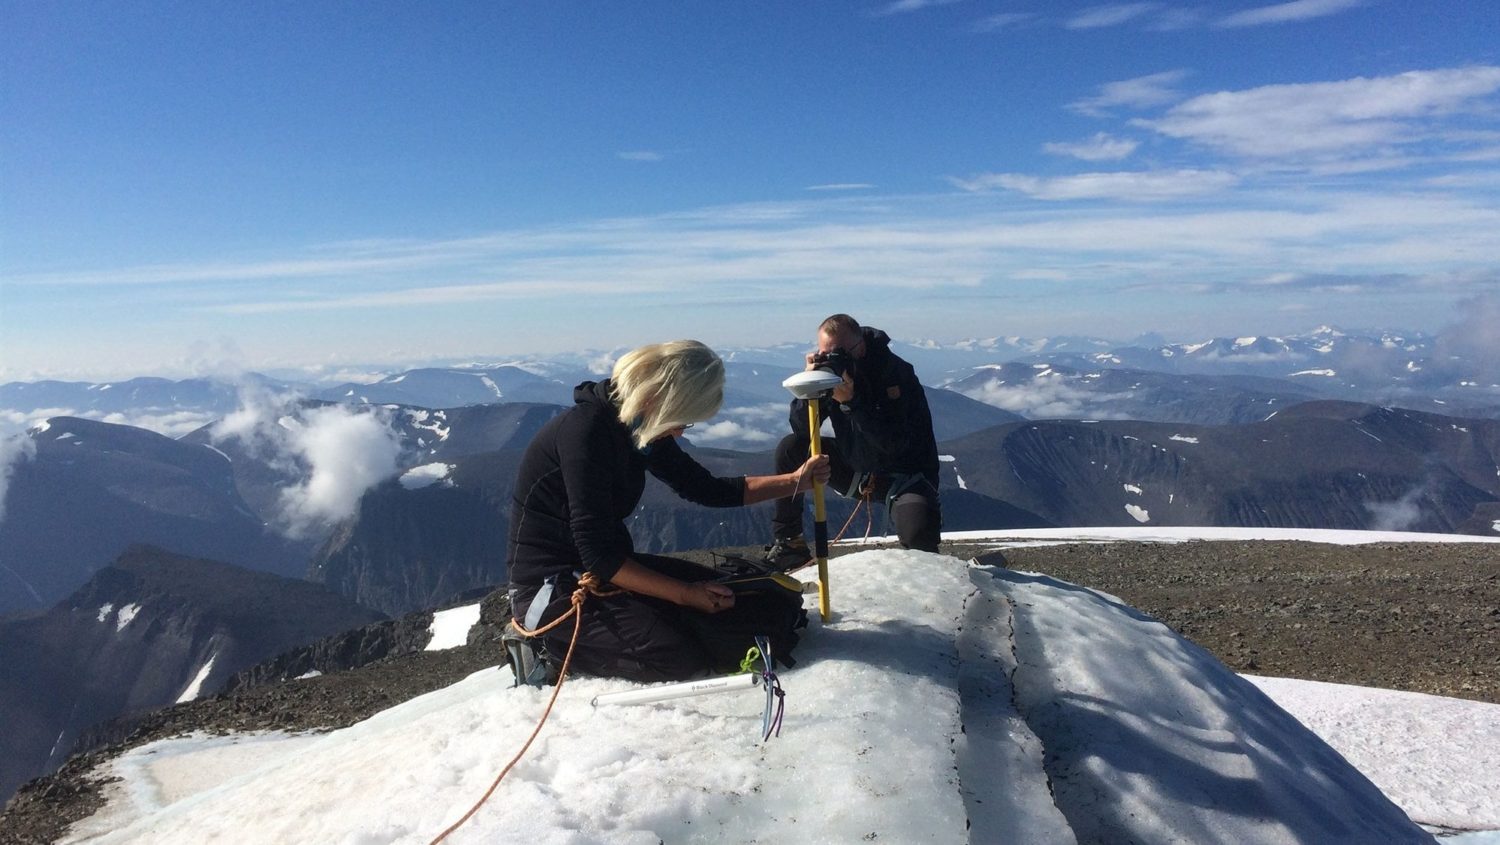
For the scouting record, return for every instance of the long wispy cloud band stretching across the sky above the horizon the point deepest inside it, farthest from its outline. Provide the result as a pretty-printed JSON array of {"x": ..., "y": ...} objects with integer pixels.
[{"x": 1115, "y": 229}]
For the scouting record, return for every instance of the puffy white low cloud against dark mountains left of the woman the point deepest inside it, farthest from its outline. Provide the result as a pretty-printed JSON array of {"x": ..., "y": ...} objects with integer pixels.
[{"x": 347, "y": 451}]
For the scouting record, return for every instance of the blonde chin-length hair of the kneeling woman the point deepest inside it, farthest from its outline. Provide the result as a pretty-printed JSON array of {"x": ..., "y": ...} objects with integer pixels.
[{"x": 665, "y": 386}]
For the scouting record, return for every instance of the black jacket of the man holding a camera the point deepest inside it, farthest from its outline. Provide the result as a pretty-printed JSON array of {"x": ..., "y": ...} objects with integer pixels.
[{"x": 889, "y": 427}]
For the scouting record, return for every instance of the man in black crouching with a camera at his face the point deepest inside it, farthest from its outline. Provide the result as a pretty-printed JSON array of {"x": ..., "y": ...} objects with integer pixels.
[{"x": 883, "y": 445}]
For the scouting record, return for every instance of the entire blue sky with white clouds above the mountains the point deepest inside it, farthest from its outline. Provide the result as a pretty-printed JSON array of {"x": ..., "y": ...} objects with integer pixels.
[{"x": 196, "y": 187}]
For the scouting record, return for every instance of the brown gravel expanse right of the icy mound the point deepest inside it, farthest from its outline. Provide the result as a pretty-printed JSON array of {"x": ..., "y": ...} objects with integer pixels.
[{"x": 1423, "y": 618}]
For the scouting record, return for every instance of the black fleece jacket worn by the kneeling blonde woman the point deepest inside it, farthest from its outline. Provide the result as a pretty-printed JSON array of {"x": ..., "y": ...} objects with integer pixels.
[{"x": 581, "y": 480}]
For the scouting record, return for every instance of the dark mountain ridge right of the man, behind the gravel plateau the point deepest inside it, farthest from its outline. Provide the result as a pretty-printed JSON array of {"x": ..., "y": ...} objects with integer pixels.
[{"x": 1313, "y": 466}]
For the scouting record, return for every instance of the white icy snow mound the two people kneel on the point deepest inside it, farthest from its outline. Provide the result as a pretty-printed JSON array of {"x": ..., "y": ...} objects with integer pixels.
[{"x": 943, "y": 703}]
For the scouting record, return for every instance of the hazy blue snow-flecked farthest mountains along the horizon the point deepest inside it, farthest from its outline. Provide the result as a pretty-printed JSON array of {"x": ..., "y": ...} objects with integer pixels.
[{"x": 1384, "y": 367}]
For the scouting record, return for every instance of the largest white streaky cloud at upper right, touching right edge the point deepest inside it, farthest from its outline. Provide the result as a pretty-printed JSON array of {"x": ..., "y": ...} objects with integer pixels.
[{"x": 1327, "y": 118}]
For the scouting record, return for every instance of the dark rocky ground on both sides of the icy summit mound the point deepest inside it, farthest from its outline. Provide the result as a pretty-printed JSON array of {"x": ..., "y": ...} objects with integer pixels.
[{"x": 1403, "y": 616}]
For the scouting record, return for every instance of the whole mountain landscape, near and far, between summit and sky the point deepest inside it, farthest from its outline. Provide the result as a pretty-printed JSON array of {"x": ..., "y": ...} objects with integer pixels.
[{"x": 1079, "y": 435}]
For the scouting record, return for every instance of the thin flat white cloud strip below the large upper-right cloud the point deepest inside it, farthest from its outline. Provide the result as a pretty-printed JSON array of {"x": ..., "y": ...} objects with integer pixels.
[{"x": 1136, "y": 187}]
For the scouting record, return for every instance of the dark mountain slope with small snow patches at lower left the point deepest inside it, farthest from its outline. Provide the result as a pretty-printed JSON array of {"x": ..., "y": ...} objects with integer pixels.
[{"x": 148, "y": 631}]
